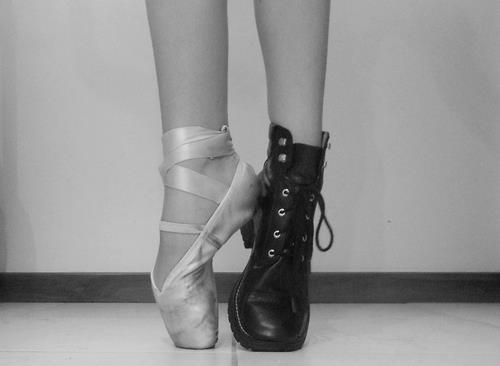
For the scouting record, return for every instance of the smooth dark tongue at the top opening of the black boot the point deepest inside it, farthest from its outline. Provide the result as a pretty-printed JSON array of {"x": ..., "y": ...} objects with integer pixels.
[{"x": 305, "y": 166}]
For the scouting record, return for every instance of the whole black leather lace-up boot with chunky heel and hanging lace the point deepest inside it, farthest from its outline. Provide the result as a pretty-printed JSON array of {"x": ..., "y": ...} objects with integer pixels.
[{"x": 269, "y": 305}]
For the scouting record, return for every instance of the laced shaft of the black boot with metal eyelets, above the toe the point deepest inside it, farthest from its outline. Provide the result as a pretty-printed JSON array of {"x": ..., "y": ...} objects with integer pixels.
[{"x": 293, "y": 177}]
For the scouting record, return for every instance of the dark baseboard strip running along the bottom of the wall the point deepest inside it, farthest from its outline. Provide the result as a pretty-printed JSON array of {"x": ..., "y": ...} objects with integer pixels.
[{"x": 325, "y": 287}]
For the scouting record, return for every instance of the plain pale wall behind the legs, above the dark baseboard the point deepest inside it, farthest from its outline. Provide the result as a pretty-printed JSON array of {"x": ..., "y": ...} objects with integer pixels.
[{"x": 413, "y": 99}]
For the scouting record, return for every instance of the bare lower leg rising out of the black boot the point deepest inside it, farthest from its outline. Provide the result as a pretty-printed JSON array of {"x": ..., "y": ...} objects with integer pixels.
[{"x": 294, "y": 39}]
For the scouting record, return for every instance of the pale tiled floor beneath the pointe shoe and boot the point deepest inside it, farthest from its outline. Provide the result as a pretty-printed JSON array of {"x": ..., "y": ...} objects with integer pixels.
[{"x": 133, "y": 334}]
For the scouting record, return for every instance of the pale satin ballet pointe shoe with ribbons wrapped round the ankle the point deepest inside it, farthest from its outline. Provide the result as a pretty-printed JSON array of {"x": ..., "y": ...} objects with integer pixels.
[{"x": 187, "y": 298}]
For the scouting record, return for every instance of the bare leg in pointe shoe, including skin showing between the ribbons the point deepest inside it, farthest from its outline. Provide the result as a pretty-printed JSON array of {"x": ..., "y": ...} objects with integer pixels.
[{"x": 190, "y": 48}]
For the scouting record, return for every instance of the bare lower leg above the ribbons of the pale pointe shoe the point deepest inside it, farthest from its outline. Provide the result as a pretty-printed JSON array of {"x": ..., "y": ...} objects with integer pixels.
[{"x": 190, "y": 47}]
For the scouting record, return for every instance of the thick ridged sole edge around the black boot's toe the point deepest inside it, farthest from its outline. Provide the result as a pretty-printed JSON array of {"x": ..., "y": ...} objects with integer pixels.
[{"x": 250, "y": 343}]
